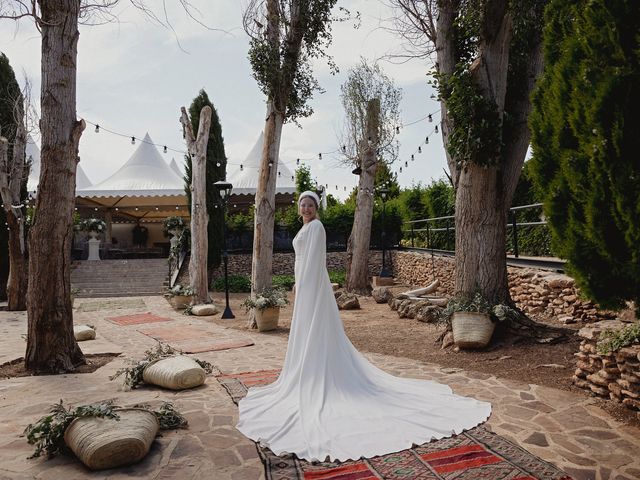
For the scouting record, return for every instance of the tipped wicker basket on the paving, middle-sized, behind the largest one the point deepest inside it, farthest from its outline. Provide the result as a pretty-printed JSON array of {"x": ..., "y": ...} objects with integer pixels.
[{"x": 175, "y": 373}]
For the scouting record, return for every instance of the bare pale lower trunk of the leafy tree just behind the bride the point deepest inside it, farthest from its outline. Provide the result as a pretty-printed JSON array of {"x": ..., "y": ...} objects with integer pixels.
[{"x": 262, "y": 261}]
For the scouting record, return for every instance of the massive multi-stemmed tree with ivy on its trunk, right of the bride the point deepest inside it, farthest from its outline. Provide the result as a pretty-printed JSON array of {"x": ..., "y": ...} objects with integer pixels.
[{"x": 488, "y": 56}]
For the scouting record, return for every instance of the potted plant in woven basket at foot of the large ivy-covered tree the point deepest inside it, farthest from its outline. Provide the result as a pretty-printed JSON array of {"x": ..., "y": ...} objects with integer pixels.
[{"x": 473, "y": 319}]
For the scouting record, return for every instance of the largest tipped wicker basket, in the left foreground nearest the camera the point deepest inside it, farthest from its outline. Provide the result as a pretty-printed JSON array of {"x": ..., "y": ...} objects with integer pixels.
[{"x": 102, "y": 443}]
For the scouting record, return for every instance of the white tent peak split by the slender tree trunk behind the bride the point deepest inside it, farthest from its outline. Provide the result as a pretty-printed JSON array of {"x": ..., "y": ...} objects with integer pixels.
[{"x": 245, "y": 180}]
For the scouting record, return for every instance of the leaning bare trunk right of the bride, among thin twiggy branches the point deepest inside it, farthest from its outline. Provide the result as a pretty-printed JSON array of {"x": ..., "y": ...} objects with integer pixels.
[{"x": 358, "y": 245}]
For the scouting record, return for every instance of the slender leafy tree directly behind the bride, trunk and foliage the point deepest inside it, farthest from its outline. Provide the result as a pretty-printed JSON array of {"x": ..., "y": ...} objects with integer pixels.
[{"x": 285, "y": 38}]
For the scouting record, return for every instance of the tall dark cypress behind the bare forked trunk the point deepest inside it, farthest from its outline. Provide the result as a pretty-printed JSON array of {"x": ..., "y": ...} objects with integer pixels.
[{"x": 216, "y": 170}]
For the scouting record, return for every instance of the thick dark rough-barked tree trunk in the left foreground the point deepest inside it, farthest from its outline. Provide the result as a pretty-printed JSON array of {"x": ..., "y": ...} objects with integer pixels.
[{"x": 51, "y": 346}]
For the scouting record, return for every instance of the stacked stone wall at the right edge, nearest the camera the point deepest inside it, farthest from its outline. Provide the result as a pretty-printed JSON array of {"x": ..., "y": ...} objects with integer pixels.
[{"x": 615, "y": 375}]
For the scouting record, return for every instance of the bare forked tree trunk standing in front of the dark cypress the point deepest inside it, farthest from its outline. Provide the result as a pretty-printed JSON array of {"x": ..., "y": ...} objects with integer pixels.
[{"x": 199, "y": 217}]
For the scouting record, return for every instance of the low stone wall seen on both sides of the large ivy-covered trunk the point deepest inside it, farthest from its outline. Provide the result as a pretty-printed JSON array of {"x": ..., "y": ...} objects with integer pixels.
[{"x": 540, "y": 293}]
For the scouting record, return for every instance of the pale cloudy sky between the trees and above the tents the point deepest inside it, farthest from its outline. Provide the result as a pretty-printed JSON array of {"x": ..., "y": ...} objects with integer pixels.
[{"x": 135, "y": 74}]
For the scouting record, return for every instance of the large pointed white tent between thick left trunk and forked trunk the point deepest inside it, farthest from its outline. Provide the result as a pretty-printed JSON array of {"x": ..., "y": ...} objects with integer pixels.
[{"x": 144, "y": 187}]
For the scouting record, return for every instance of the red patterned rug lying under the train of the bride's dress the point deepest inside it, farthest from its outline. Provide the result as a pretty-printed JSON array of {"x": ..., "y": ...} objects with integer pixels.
[{"x": 477, "y": 454}]
